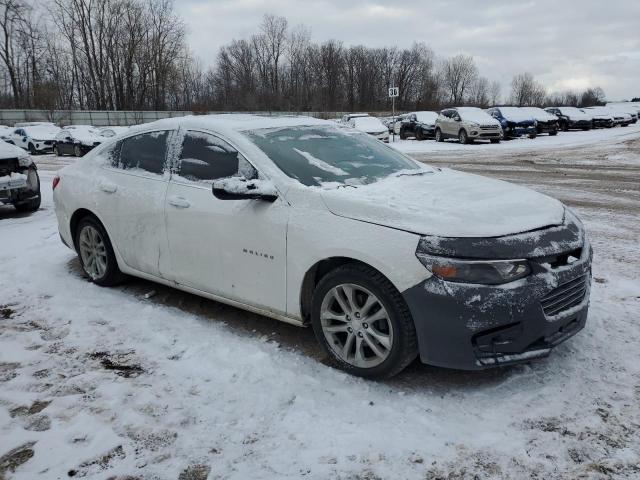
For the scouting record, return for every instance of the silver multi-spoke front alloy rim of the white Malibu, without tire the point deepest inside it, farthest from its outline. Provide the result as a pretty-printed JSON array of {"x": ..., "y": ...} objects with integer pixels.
[{"x": 356, "y": 325}]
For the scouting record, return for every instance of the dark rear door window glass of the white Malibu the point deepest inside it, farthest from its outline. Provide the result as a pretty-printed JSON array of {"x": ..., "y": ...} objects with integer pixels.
[{"x": 147, "y": 151}]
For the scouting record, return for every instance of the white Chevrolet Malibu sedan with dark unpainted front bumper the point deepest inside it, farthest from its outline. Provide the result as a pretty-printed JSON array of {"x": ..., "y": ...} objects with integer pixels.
[{"x": 409, "y": 260}]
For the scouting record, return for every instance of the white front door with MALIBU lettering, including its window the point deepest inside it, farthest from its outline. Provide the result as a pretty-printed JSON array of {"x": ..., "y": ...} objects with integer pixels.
[{"x": 232, "y": 248}]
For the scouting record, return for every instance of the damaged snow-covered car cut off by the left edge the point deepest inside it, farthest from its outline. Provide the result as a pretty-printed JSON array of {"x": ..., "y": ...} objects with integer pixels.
[{"x": 19, "y": 180}]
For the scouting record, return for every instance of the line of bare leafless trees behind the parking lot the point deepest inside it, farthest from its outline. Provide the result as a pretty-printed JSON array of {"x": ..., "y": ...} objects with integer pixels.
[{"x": 132, "y": 55}]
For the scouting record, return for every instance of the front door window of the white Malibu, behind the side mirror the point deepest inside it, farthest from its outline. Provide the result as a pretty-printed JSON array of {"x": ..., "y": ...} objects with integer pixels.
[{"x": 205, "y": 157}]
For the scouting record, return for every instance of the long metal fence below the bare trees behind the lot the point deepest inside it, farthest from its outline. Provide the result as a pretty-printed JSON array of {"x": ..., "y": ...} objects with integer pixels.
[{"x": 101, "y": 118}]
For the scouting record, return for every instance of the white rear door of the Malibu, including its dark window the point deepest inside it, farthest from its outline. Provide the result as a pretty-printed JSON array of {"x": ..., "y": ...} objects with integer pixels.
[{"x": 131, "y": 199}]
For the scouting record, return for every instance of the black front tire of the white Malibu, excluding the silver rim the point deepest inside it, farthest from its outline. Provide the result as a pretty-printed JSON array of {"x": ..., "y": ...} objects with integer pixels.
[{"x": 405, "y": 344}]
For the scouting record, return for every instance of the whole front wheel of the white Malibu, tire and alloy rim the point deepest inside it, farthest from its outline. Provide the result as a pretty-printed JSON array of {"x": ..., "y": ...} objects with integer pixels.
[{"x": 362, "y": 322}]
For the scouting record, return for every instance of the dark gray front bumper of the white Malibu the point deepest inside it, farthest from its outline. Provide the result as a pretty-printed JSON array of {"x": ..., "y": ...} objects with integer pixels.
[{"x": 473, "y": 327}]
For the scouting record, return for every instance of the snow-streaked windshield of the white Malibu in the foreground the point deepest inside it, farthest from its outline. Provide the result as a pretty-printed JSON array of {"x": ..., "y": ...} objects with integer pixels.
[{"x": 325, "y": 154}]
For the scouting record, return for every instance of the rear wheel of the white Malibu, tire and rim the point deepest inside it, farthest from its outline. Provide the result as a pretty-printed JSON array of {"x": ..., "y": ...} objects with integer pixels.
[{"x": 96, "y": 253}]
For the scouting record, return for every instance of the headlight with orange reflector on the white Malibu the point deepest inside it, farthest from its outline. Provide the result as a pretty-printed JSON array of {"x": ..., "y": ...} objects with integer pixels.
[{"x": 486, "y": 272}]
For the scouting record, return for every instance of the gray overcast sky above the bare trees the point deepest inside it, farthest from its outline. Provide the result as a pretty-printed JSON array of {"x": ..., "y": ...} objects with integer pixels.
[{"x": 566, "y": 44}]
